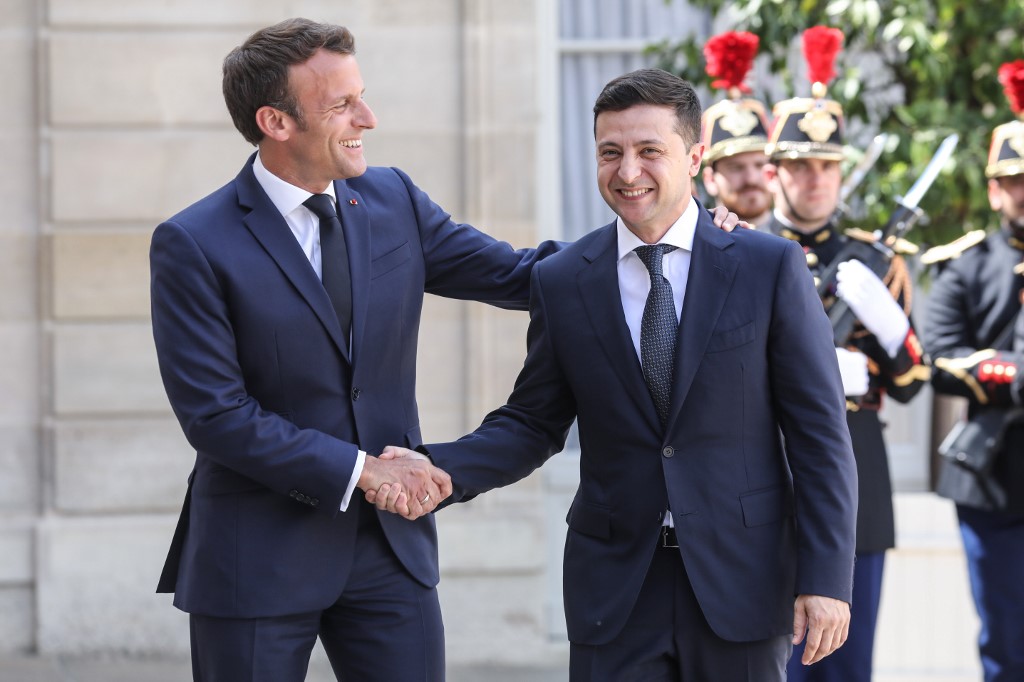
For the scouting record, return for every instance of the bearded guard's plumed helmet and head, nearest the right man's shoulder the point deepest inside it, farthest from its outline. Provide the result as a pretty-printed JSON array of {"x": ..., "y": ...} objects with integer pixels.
[{"x": 735, "y": 132}]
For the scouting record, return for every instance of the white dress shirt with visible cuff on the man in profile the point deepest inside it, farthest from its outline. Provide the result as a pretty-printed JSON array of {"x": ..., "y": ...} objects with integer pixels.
[{"x": 306, "y": 227}]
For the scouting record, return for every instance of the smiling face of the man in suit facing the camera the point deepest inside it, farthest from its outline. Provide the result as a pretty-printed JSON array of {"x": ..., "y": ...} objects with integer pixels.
[{"x": 645, "y": 167}]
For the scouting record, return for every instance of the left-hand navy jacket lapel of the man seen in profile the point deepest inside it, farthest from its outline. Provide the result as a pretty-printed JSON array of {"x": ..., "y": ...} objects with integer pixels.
[{"x": 270, "y": 229}]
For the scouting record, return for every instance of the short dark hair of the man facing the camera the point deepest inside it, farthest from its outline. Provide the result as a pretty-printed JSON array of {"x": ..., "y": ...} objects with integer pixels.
[{"x": 654, "y": 87}]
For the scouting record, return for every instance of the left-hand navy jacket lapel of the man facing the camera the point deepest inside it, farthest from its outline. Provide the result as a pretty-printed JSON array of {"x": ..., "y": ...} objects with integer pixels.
[{"x": 599, "y": 285}]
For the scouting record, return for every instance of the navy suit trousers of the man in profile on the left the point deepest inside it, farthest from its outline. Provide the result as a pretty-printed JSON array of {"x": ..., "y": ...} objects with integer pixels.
[{"x": 385, "y": 627}]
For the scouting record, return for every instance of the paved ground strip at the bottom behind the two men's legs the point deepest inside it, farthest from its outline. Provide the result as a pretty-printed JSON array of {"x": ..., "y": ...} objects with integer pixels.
[{"x": 15, "y": 669}]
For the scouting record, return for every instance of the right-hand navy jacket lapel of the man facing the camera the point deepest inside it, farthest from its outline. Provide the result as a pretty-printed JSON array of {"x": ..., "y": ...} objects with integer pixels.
[{"x": 711, "y": 276}]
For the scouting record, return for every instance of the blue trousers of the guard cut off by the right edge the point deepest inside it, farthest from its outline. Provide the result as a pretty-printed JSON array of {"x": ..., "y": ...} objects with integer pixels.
[{"x": 994, "y": 544}]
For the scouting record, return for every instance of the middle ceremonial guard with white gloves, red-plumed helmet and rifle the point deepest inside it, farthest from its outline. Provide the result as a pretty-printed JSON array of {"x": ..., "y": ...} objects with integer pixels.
[{"x": 881, "y": 357}]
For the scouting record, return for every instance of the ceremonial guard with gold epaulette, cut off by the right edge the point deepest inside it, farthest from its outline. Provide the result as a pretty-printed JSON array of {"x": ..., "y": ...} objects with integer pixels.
[{"x": 975, "y": 303}]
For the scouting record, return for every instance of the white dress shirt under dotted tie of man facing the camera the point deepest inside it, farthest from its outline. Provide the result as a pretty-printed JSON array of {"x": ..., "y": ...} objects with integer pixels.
[{"x": 634, "y": 279}]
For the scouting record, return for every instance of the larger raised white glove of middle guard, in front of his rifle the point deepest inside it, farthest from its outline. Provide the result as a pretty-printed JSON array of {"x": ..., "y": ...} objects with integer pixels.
[{"x": 873, "y": 304}]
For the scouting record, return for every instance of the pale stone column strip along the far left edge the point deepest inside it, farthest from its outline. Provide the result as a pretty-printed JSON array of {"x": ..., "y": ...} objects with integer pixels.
[{"x": 21, "y": 374}]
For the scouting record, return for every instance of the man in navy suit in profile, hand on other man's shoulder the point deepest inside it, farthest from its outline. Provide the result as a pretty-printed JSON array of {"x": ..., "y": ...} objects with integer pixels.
[{"x": 283, "y": 390}]
